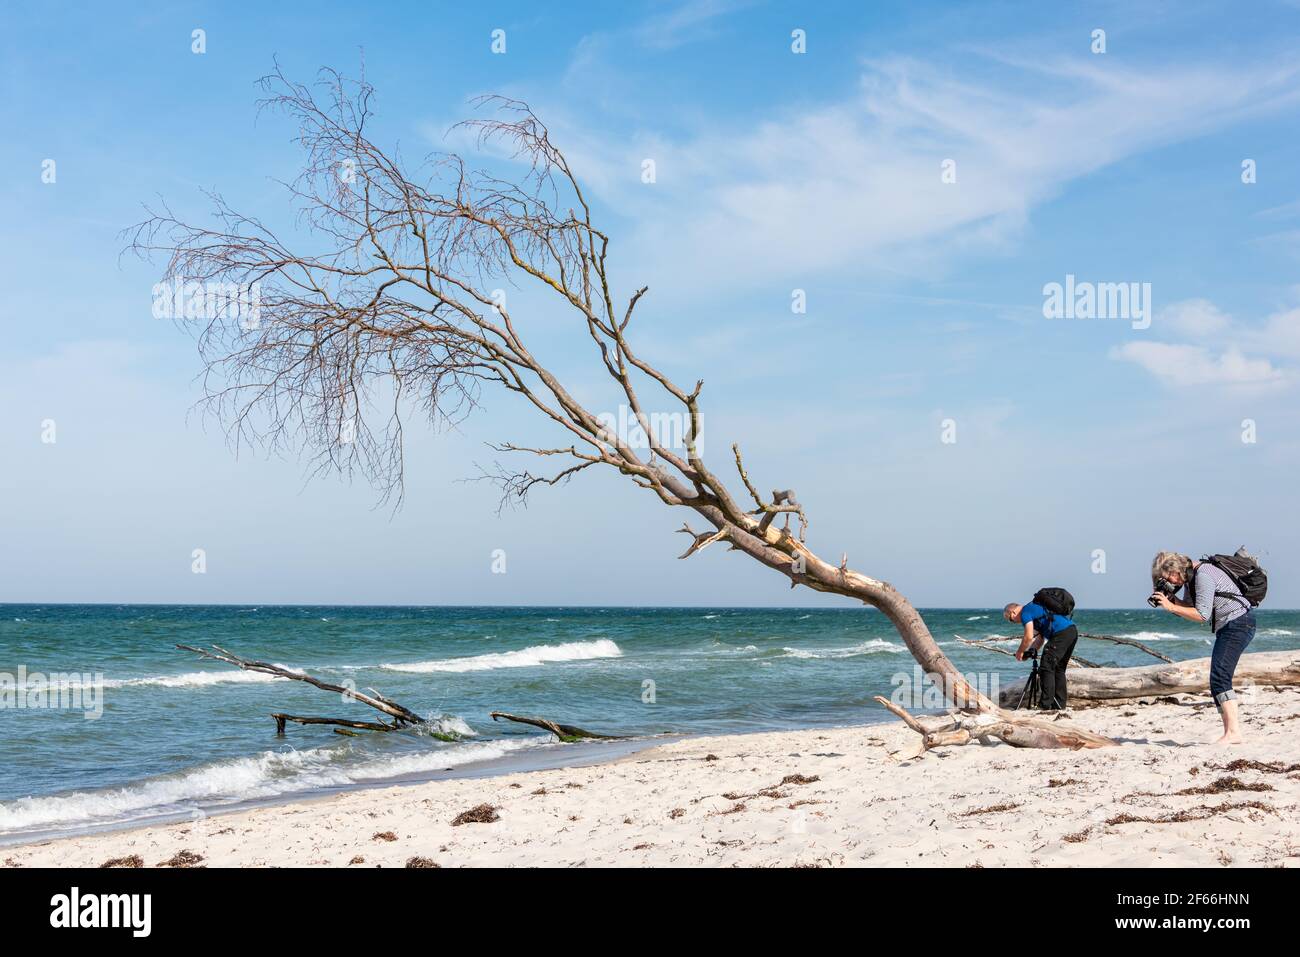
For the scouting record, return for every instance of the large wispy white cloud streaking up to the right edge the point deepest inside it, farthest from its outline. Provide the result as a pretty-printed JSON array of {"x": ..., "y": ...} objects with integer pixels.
[{"x": 856, "y": 184}]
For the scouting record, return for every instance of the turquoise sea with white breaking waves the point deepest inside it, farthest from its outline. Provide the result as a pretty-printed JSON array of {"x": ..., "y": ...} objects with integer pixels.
[{"x": 185, "y": 737}]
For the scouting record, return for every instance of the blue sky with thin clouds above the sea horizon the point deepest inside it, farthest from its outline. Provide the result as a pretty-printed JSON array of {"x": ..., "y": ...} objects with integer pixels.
[{"x": 774, "y": 172}]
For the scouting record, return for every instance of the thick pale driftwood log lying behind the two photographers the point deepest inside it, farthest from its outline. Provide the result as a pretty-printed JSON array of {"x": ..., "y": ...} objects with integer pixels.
[{"x": 1181, "y": 678}]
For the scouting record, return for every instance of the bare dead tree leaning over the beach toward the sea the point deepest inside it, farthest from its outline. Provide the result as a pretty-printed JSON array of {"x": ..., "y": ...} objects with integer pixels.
[{"x": 391, "y": 305}]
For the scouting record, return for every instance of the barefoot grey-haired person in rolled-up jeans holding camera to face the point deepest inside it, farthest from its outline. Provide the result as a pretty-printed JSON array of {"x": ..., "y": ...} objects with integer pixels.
[{"x": 1211, "y": 596}]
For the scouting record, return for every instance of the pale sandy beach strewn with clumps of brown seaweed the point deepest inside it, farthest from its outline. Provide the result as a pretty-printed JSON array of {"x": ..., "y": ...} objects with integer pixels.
[{"x": 822, "y": 798}]
